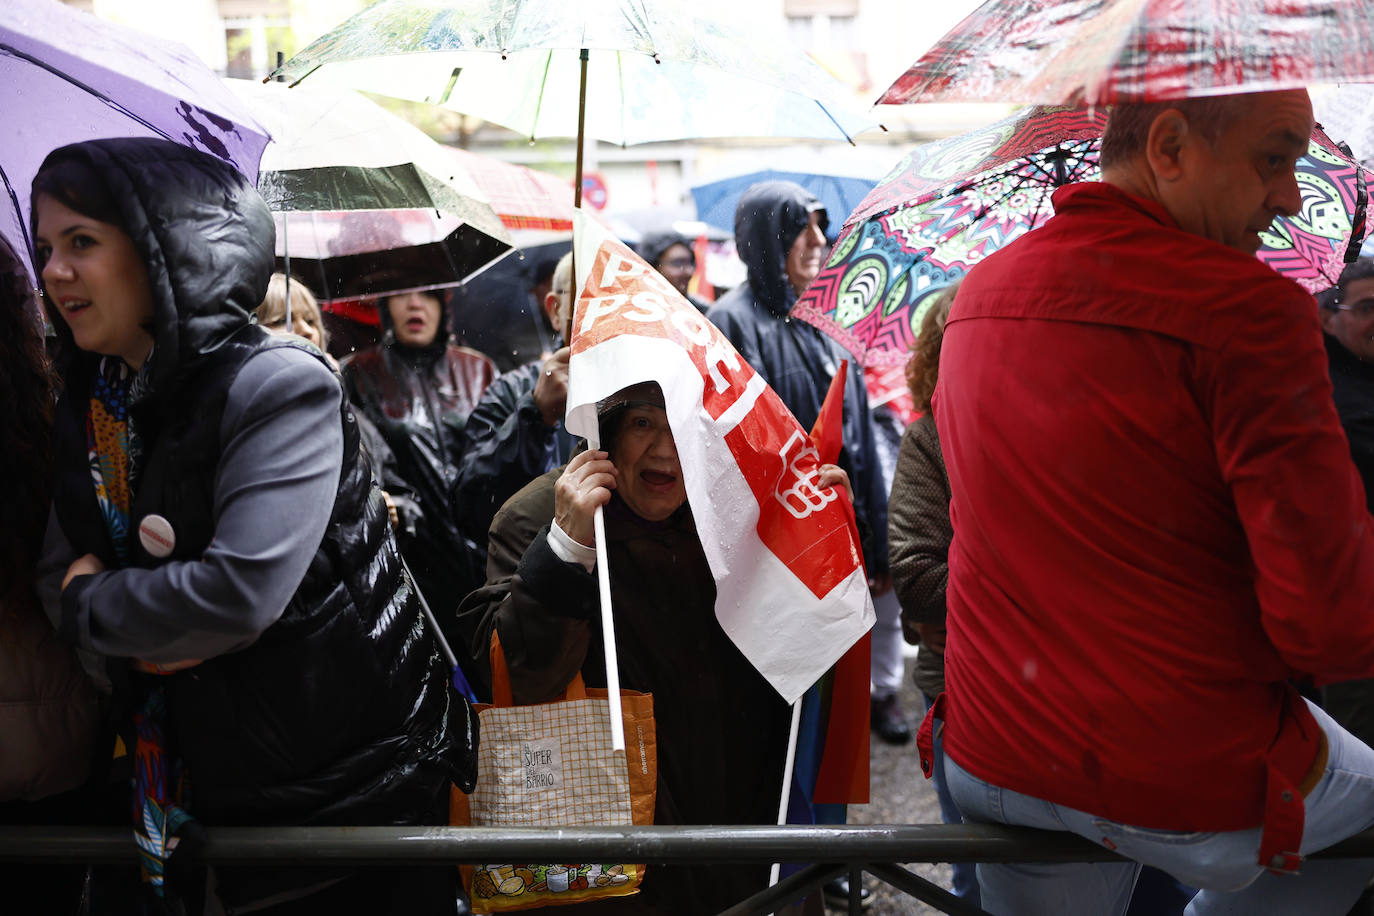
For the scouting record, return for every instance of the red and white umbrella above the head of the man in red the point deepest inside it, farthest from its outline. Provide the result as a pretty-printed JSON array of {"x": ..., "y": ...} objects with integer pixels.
[{"x": 1104, "y": 51}]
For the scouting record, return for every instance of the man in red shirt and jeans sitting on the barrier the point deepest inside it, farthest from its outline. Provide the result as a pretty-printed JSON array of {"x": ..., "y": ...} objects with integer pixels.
[{"x": 1156, "y": 528}]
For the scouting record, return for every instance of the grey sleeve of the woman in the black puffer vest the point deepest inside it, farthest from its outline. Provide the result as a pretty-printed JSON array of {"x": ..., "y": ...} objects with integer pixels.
[{"x": 274, "y": 494}]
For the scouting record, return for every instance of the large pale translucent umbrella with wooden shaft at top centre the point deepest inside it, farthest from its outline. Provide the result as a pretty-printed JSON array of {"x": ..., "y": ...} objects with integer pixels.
[{"x": 620, "y": 71}]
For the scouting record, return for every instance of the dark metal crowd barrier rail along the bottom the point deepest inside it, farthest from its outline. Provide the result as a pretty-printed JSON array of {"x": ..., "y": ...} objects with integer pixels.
[{"x": 833, "y": 851}]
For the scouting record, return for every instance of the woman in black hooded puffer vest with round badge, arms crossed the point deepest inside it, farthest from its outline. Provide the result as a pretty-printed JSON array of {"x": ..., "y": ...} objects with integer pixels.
[{"x": 218, "y": 539}]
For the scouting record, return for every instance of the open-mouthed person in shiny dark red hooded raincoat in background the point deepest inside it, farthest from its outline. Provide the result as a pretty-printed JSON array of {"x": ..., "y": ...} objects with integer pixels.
[{"x": 418, "y": 388}]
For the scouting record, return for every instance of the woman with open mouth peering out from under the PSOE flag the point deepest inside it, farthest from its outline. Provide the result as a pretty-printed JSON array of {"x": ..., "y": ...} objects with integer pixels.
[{"x": 722, "y": 729}]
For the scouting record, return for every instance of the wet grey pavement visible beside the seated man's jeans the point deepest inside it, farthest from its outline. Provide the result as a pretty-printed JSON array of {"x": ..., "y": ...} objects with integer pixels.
[{"x": 901, "y": 796}]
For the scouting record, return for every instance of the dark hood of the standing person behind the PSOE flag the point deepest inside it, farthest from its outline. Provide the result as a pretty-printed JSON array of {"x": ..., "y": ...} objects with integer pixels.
[{"x": 769, "y": 219}]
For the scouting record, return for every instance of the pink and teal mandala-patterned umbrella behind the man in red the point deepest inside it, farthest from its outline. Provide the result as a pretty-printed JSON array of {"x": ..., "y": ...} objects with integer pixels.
[{"x": 951, "y": 204}]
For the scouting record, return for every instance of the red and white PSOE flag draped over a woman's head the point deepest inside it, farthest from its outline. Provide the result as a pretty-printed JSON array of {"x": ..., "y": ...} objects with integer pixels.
[{"x": 791, "y": 587}]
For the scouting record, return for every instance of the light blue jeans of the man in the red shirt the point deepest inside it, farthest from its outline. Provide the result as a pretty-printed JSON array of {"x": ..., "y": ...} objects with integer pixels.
[{"x": 1222, "y": 863}]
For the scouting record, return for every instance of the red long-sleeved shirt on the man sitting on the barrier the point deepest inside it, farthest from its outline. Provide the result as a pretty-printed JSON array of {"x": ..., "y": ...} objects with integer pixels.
[{"x": 1156, "y": 523}]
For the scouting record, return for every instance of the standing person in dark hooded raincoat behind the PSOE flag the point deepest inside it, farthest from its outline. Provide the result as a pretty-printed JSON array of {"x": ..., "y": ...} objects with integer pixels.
[{"x": 781, "y": 237}]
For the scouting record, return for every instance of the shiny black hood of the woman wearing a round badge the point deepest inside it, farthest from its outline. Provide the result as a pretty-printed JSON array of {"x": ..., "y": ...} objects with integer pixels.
[{"x": 204, "y": 233}]
